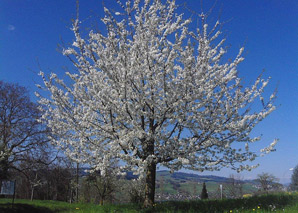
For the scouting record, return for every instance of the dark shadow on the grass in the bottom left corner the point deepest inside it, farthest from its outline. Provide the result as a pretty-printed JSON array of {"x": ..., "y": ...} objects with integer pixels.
[{"x": 22, "y": 208}]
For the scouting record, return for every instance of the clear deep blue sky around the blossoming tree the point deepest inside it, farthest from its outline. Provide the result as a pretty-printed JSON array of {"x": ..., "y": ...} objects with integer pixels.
[{"x": 30, "y": 31}]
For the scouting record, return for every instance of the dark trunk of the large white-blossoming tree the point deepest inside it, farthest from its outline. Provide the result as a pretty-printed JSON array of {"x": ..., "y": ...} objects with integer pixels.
[{"x": 150, "y": 185}]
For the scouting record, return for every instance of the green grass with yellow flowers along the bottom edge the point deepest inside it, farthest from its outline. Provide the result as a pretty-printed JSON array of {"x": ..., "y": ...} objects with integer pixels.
[{"x": 287, "y": 202}]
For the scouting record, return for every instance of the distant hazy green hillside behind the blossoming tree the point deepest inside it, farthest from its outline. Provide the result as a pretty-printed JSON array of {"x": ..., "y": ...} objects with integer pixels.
[{"x": 184, "y": 186}]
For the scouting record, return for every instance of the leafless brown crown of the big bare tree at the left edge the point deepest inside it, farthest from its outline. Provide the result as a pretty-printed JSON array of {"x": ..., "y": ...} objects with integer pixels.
[{"x": 21, "y": 135}]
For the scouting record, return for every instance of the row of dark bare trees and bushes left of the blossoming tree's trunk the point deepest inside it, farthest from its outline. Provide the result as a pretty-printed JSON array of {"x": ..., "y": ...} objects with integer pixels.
[{"x": 60, "y": 182}]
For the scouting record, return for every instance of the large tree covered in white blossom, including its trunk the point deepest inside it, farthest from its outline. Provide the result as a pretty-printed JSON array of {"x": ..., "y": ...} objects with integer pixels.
[{"x": 150, "y": 92}]
